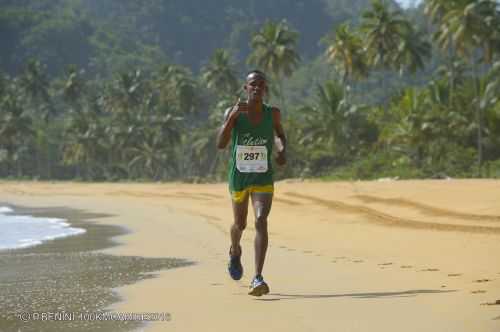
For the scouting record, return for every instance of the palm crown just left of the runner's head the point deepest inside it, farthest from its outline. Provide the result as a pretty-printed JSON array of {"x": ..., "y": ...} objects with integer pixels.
[{"x": 219, "y": 74}]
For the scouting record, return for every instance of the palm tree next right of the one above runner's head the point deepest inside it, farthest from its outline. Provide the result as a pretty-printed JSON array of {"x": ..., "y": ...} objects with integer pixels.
[{"x": 346, "y": 50}]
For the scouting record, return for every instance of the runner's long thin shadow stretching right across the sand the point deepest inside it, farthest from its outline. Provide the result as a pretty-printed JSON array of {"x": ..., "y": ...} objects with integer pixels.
[{"x": 408, "y": 293}]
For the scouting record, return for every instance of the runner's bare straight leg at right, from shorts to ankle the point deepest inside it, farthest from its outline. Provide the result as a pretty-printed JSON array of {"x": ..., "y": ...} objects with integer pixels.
[{"x": 261, "y": 203}]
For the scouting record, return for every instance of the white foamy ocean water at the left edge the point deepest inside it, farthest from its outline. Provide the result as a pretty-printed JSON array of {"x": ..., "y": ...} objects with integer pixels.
[{"x": 21, "y": 231}]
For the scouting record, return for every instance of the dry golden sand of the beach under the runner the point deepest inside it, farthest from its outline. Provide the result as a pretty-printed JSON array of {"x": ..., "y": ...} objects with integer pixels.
[{"x": 343, "y": 256}]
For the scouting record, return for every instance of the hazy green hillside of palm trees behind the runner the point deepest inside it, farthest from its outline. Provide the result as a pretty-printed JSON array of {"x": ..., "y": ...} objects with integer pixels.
[{"x": 126, "y": 90}]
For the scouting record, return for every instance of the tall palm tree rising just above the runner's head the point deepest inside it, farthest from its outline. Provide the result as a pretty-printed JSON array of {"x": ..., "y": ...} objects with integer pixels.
[{"x": 273, "y": 51}]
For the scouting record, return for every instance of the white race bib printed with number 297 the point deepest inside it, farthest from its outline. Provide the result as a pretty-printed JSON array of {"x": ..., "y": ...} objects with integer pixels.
[{"x": 251, "y": 159}]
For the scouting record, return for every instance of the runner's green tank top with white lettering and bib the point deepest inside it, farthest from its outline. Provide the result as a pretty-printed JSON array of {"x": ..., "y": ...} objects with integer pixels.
[{"x": 251, "y": 152}]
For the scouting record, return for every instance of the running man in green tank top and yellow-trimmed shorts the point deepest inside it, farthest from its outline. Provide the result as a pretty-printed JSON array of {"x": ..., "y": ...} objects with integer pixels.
[{"x": 252, "y": 127}]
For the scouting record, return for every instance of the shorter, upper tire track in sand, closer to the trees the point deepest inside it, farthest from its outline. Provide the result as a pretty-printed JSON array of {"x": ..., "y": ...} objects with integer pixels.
[{"x": 426, "y": 209}]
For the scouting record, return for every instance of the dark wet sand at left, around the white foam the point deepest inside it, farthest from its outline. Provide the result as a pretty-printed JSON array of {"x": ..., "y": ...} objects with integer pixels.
[{"x": 70, "y": 276}]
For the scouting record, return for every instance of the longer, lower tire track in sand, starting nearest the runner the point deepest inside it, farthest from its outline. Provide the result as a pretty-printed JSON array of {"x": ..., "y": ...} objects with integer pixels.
[{"x": 384, "y": 219}]
